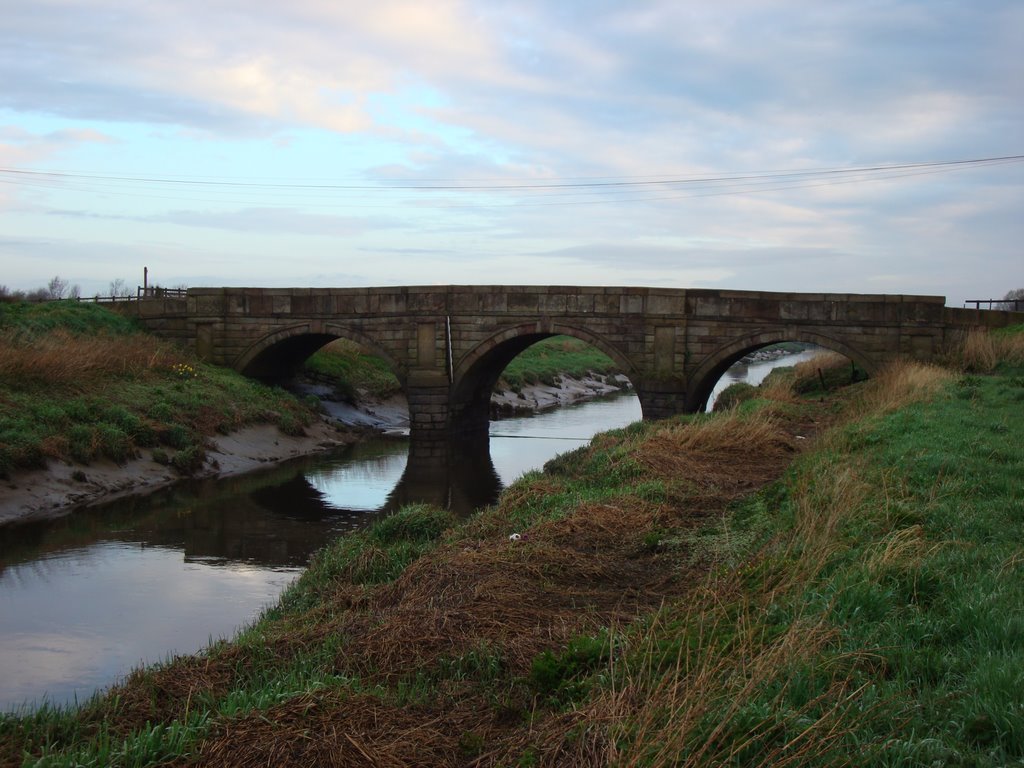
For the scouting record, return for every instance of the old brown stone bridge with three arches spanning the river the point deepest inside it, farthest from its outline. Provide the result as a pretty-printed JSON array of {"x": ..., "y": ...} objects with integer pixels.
[{"x": 449, "y": 345}]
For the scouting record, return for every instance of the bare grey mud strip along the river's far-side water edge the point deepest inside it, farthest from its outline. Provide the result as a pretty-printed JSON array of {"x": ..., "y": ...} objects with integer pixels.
[{"x": 62, "y": 488}]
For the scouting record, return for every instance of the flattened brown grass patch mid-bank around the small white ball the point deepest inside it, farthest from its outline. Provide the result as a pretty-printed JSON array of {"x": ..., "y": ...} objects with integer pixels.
[{"x": 519, "y": 599}]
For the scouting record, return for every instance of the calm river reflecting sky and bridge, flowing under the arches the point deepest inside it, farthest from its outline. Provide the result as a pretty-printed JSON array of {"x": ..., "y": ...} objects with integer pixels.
[{"x": 88, "y": 598}]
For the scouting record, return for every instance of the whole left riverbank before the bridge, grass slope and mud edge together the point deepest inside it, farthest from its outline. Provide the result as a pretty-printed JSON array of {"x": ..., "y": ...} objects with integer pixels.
[{"x": 93, "y": 409}]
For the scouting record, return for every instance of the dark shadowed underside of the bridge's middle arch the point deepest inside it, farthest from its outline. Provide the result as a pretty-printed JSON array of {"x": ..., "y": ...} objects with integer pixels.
[{"x": 479, "y": 371}]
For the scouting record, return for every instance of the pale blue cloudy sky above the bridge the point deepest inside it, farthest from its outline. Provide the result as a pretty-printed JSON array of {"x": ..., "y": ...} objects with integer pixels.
[{"x": 745, "y": 145}]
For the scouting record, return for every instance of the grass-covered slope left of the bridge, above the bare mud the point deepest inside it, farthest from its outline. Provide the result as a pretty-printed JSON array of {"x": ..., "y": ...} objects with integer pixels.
[{"x": 79, "y": 383}]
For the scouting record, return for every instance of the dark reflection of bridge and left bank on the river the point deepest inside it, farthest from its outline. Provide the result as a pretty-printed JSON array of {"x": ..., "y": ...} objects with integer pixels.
[{"x": 274, "y": 519}]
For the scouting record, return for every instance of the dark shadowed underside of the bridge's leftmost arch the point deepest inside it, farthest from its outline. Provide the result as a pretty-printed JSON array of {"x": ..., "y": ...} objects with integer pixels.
[{"x": 278, "y": 356}]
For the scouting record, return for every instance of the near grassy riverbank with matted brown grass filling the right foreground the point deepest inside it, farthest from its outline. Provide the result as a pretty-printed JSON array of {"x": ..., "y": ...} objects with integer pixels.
[{"x": 794, "y": 582}]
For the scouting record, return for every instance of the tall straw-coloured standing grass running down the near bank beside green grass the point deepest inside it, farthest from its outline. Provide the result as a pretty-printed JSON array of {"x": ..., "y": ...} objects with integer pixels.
[{"x": 731, "y": 659}]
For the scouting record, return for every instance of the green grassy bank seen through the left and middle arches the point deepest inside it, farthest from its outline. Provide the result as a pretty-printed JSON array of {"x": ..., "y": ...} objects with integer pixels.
[{"x": 357, "y": 374}]
